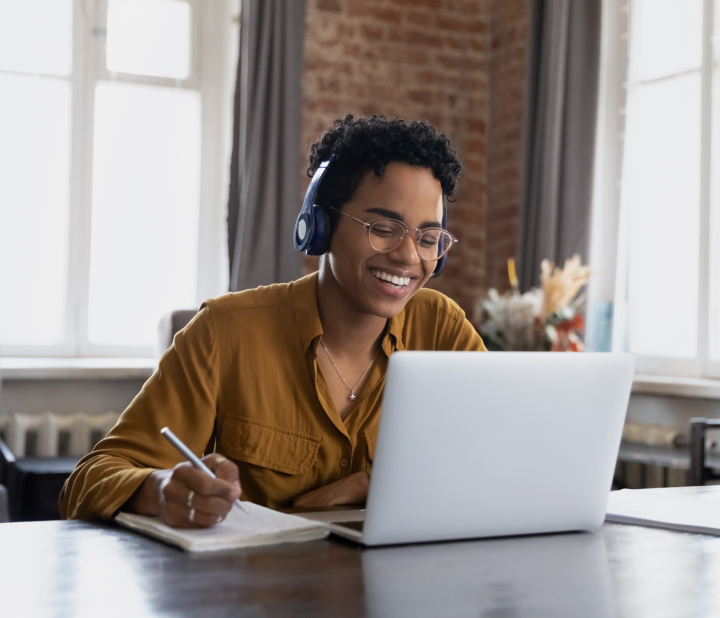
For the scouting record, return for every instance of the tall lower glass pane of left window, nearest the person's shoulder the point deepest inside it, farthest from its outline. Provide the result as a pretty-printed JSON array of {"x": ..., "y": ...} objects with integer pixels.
[{"x": 146, "y": 185}]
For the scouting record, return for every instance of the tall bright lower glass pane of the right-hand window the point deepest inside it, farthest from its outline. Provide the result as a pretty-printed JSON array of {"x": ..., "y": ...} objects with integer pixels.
[{"x": 661, "y": 186}]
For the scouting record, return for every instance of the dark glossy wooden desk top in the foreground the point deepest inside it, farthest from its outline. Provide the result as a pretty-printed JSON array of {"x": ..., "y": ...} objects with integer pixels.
[{"x": 79, "y": 569}]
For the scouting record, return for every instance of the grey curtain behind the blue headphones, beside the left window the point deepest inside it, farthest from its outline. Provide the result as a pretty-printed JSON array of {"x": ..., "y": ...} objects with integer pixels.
[{"x": 264, "y": 195}]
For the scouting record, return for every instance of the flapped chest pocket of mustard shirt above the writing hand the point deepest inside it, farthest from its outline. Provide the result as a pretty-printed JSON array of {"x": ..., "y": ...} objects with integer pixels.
[{"x": 276, "y": 464}]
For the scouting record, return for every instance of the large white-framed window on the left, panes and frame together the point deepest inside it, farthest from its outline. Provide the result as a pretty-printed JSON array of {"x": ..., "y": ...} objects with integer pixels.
[{"x": 114, "y": 147}]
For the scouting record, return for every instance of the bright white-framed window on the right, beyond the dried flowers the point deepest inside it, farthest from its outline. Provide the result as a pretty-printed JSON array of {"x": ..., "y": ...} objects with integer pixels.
[{"x": 667, "y": 287}]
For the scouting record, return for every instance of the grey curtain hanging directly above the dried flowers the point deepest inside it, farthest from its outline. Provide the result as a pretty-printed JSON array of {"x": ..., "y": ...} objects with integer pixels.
[{"x": 561, "y": 108}]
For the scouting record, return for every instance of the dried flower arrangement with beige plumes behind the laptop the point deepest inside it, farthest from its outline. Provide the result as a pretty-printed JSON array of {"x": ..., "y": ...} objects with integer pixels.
[{"x": 548, "y": 318}]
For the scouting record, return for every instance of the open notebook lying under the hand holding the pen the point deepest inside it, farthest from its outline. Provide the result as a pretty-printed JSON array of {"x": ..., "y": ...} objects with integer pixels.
[{"x": 260, "y": 526}]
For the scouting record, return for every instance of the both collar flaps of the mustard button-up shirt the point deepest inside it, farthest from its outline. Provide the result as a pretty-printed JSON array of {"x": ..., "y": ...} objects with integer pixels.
[{"x": 308, "y": 317}]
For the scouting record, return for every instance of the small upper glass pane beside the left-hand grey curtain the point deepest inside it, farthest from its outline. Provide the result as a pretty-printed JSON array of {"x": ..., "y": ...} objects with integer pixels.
[{"x": 149, "y": 37}]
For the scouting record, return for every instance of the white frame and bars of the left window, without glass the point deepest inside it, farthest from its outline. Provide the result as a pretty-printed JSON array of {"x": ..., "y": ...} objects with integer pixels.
[{"x": 214, "y": 41}]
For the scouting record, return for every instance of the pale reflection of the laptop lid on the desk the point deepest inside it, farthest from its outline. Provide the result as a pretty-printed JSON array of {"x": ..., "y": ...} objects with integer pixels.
[{"x": 553, "y": 575}]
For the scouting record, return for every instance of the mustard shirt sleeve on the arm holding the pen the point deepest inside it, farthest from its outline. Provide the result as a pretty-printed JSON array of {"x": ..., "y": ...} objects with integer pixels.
[{"x": 181, "y": 394}]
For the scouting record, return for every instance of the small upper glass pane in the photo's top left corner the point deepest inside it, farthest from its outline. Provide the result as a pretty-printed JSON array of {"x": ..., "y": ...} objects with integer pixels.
[{"x": 36, "y": 36}]
